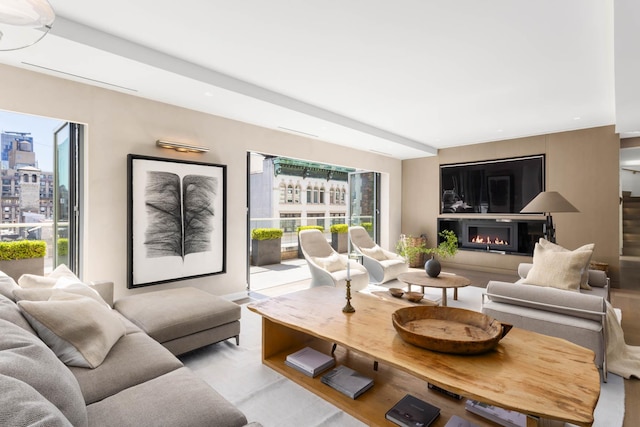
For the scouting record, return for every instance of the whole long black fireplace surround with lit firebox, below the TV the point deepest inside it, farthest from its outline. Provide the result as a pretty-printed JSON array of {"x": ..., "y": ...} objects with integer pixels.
[{"x": 506, "y": 236}]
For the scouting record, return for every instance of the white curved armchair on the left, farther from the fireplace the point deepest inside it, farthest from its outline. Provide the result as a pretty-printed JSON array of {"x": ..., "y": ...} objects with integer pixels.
[{"x": 327, "y": 267}]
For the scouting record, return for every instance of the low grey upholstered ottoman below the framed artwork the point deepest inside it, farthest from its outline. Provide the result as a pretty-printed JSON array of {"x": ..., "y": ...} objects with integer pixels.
[{"x": 182, "y": 319}]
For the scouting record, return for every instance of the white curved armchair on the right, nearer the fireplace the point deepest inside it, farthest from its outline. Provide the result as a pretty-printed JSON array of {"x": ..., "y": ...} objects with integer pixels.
[{"x": 381, "y": 264}]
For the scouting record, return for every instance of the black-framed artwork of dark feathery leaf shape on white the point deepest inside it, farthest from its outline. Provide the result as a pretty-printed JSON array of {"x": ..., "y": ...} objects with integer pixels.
[{"x": 176, "y": 220}]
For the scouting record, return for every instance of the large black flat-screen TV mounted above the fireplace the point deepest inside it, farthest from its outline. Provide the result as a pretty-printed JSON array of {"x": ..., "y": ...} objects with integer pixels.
[{"x": 502, "y": 186}]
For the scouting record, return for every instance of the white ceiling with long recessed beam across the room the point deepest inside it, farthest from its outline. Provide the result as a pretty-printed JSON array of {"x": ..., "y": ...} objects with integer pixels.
[{"x": 403, "y": 78}]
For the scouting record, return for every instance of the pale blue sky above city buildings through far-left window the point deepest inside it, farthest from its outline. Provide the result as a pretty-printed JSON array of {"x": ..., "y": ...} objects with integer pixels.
[{"x": 41, "y": 128}]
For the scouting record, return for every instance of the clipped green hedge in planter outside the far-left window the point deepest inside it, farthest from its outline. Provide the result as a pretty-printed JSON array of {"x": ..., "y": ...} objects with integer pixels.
[{"x": 22, "y": 256}]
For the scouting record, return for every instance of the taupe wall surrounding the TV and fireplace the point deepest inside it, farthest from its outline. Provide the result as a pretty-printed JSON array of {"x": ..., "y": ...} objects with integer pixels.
[{"x": 582, "y": 165}]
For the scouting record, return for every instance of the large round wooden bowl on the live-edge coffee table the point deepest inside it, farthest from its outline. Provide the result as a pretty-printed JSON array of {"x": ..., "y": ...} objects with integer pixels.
[{"x": 448, "y": 329}]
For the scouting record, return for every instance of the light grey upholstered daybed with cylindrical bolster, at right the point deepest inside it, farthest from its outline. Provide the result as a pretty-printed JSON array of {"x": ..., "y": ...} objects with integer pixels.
[{"x": 577, "y": 316}]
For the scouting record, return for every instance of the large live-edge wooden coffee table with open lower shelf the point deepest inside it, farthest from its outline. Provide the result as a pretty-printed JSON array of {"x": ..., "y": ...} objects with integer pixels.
[{"x": 538, "y": 375}]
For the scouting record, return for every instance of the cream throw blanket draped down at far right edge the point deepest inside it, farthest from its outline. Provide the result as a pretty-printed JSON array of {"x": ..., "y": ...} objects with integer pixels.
[{"x": 622, "y": 359}]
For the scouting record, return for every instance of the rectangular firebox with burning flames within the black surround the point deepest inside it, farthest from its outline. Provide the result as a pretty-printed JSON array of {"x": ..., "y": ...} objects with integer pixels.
[{"x": 490, "y": 235}]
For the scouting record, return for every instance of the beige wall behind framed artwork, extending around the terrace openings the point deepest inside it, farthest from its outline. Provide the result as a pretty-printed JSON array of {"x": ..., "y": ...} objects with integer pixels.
[{"x": 119, "y": 124}]
